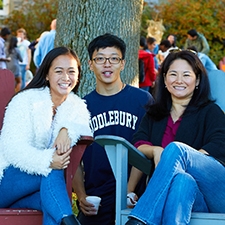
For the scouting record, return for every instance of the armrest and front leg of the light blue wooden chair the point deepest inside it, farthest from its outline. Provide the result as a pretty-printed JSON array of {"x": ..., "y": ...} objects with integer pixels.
[{"x": 119, "y": 152}]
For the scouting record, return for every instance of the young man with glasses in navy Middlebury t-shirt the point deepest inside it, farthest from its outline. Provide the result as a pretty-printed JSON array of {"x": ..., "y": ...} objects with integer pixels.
[{"x": 116, "y": 109}]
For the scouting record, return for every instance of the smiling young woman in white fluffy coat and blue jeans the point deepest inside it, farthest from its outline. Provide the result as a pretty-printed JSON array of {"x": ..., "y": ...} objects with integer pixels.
[{"x": 41, "y": 124}]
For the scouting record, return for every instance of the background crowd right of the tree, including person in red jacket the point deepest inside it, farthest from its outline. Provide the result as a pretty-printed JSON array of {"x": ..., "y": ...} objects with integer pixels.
[{"x": 195, "y": 42}]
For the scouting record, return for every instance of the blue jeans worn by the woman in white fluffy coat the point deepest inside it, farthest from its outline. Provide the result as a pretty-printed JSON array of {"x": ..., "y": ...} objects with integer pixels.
[{"x": 48, "y": 194}]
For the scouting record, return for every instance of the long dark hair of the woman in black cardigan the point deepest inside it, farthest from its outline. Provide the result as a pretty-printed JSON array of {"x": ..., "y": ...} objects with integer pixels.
[{"x": 201, "y": 94}]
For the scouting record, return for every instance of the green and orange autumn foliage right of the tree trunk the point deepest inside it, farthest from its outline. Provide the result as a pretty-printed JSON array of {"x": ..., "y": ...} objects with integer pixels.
[{"x": 206, "y": 16}]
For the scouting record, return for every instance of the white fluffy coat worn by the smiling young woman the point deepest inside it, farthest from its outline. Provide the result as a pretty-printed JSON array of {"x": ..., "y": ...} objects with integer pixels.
[{"x": 29, "y": 132}]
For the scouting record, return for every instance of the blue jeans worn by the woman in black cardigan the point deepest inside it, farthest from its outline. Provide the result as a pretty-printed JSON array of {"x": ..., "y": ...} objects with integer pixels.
[{"x": 184, "y": 181}]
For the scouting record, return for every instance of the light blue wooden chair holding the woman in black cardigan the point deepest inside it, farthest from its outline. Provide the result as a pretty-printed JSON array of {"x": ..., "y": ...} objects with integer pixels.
[{"x": 120, "y": 152}]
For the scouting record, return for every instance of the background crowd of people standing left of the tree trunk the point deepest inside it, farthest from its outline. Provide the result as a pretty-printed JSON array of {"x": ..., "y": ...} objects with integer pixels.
[{"x": 18, "y": 53}]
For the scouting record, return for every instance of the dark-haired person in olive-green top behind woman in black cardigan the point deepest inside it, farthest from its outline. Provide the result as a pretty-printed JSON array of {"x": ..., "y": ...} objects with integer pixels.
[{"x": 198, "y": 40}]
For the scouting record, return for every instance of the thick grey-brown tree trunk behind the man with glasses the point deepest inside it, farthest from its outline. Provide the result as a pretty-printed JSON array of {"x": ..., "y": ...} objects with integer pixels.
[{"x": 78, "y": 22}]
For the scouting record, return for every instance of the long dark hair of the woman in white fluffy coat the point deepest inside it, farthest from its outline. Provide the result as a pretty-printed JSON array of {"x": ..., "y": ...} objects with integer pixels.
[{"x": 39, "y": 79}]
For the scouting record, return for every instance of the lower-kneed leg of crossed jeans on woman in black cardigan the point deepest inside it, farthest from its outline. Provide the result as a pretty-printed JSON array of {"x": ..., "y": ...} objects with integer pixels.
[{"x": 176, "y": 195}]
